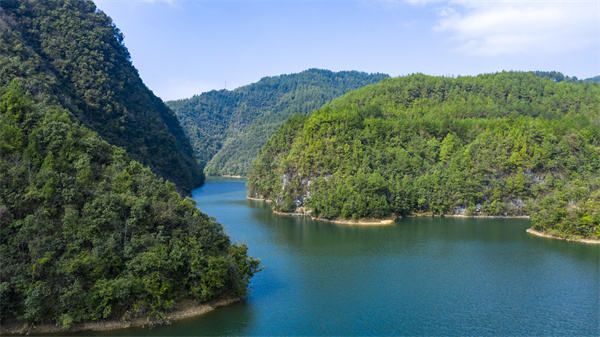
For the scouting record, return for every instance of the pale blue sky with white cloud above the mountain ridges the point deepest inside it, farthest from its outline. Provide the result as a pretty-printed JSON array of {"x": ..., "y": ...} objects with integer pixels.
[{"x": 185, "y": 47}]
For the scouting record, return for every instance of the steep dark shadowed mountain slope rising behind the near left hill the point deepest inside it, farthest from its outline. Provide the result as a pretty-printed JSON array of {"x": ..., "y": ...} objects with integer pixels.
[{"x": 68, "y": 53}]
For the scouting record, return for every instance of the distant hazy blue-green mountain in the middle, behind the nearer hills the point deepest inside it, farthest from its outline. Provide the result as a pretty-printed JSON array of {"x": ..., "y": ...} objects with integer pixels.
[{"x": 227, "y": 128}]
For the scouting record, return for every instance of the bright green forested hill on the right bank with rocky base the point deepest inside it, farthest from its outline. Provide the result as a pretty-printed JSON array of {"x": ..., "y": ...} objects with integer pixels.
[{"x": 509, "y": 143}]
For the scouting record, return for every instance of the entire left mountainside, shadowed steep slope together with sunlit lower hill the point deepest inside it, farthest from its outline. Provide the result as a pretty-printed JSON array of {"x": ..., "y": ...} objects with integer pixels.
[{"x": 87, "y": 232}]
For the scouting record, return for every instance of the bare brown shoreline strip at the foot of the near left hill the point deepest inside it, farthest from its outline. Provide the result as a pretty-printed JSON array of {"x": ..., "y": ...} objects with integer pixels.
[{"x": 185, "y": 310}]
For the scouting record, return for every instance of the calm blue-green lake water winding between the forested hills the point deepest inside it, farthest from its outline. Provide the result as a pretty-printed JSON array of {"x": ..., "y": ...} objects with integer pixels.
[{"x": 422, "y": 276}]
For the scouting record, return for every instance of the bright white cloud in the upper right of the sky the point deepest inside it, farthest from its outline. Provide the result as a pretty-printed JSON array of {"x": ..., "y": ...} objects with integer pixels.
[{"x": 506, "y": 27}]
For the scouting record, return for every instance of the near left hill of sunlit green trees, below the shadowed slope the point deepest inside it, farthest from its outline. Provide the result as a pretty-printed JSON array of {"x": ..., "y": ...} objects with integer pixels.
[{"x": 86, "y": 233}]
